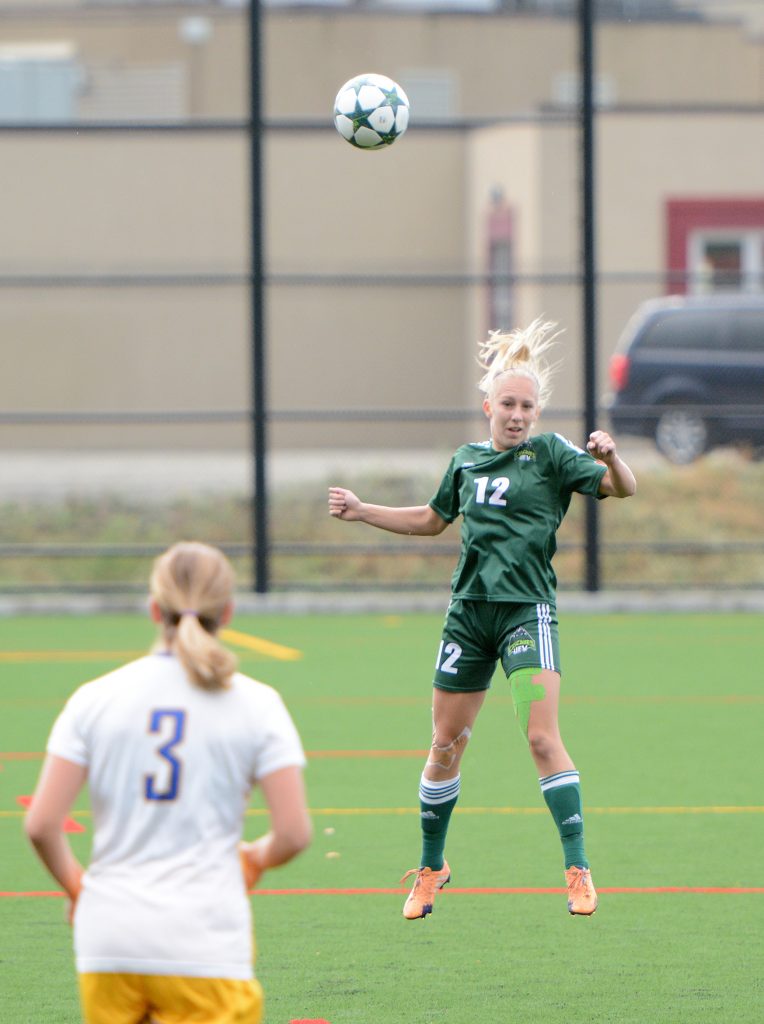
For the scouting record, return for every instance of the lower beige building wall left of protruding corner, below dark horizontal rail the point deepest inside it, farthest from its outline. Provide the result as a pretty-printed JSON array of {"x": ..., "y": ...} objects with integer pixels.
[{"x": 142, "y": 205}]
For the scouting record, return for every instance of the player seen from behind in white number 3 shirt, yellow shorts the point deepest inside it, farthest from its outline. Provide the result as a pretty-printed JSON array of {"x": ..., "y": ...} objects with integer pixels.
[{"x": 171, "y": 746}]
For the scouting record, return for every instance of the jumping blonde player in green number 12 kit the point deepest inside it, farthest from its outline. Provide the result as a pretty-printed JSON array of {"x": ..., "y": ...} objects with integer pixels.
[{"x": 513, "y": 493}]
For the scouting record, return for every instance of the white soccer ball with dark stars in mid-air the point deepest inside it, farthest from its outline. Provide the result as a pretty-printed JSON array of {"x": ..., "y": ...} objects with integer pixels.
[{"x": 371, "y": 112}]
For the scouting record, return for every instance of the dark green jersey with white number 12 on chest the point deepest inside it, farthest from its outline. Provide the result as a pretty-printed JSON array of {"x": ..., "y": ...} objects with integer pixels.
[{"x": 512, "y": 505}]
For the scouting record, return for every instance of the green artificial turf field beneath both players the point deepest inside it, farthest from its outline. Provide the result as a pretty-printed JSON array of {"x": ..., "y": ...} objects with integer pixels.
[{"x": 664, "y": 718}]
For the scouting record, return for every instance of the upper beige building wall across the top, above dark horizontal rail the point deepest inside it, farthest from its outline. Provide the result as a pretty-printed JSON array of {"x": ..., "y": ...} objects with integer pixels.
[{"x": 498, "y": 64}]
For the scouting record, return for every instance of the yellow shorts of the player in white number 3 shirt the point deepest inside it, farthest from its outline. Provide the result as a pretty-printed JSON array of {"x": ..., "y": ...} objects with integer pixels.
[{"x": 132, "y": 999}]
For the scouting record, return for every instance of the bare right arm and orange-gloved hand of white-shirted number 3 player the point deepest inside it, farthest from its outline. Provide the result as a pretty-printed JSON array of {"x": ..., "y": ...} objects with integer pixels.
[{"x": 291, "y": 830}]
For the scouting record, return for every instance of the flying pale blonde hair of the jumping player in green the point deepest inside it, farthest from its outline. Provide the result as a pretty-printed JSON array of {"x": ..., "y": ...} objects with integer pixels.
[{"x": 524, "y": 353}]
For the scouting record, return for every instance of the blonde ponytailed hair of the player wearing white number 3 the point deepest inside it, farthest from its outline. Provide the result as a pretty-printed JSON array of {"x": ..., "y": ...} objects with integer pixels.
[{"x": 193, "y": 584}]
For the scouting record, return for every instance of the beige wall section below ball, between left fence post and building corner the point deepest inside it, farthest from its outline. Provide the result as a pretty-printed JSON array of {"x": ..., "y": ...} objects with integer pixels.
[{"x": 368, "y": 344}]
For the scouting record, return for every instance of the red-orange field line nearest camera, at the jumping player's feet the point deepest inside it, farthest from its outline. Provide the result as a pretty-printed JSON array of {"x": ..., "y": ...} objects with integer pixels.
[{"x": 477, "y": 891}]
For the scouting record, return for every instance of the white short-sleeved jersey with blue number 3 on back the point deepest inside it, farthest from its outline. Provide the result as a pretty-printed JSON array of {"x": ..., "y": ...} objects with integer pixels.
[{"x": 171, "y": 769}]
